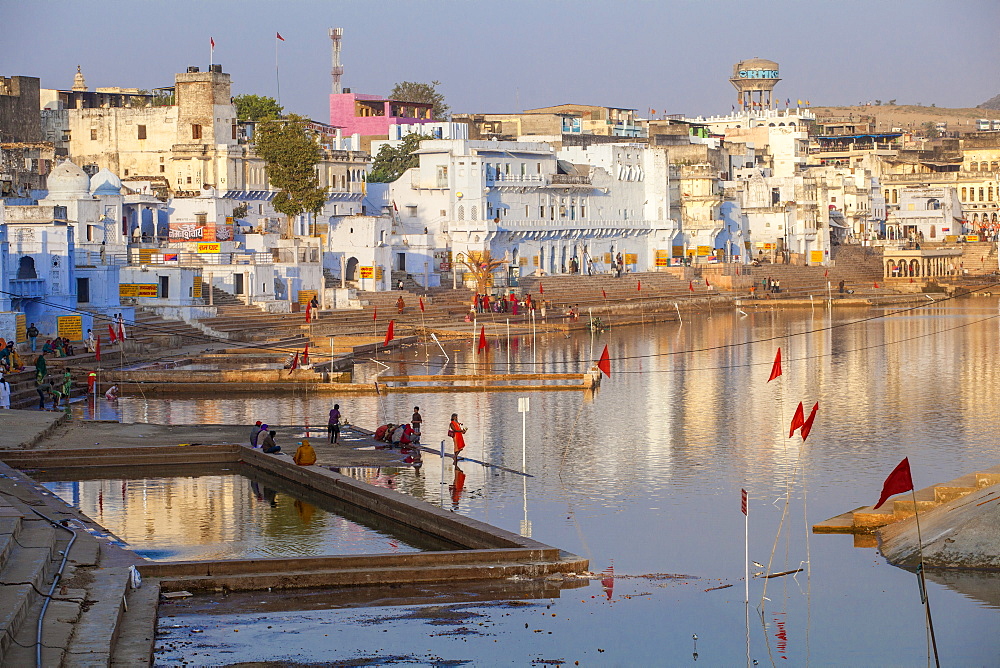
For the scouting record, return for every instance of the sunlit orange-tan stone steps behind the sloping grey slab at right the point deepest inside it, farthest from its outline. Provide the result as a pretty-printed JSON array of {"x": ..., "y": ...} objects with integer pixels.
[{"x": 867, "y": 519}]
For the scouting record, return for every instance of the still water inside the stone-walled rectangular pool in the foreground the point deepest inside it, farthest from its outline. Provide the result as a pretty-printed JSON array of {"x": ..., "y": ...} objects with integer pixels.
[{"x": 219, "y": 517}]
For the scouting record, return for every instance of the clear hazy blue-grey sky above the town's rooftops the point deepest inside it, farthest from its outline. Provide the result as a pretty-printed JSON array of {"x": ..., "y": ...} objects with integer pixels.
[{"x": 508, "y": 55}]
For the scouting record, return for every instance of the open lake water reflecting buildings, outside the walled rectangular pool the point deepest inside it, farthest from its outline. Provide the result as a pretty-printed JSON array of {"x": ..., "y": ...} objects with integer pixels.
[{"x": 645, "y": 475}]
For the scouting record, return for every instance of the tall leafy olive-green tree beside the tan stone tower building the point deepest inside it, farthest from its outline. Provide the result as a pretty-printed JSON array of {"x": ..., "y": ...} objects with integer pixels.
[{"x": 291, "y": 152}]
